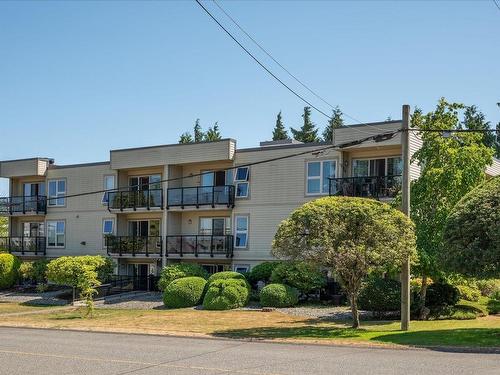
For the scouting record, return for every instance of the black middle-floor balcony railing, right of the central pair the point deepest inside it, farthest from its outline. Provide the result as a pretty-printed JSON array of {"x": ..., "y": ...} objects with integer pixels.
[{"x": 200, "y": 245}]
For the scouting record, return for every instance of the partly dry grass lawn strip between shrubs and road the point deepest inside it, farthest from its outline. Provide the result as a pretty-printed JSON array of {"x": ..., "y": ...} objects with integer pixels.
[{"x": 484, "y": 332}]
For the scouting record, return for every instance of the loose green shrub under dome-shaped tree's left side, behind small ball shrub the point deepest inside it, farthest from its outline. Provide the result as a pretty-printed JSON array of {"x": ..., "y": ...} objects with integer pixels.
[{"x": 300, "y": 275}]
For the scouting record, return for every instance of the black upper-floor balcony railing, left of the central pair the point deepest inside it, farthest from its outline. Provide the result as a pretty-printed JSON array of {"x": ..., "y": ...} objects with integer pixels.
[{"x": 134, "y": 199}]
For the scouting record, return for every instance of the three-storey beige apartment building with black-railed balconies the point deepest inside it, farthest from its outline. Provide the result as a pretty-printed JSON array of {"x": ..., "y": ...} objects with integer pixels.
[{"x": 208, "y": 203}]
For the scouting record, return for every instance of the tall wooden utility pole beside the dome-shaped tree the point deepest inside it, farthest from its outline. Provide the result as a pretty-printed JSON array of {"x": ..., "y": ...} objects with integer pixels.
[{"x": 405, "y": 271}]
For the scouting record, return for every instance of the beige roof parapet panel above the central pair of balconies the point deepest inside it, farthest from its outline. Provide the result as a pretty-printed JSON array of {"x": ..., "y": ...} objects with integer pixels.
[{"x": 172, "y": 154}]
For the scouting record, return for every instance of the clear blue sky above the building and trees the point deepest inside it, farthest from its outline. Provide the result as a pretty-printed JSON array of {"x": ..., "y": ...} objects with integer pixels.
[{"x": 80, "y": 78}]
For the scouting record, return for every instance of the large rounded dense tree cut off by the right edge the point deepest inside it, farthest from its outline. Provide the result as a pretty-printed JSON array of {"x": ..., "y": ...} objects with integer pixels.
[{"x": 472, "y": 233}]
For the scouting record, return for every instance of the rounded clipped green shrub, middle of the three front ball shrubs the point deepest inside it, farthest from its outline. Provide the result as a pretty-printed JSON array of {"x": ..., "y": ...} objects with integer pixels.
[{"x": 226, "y": 294}]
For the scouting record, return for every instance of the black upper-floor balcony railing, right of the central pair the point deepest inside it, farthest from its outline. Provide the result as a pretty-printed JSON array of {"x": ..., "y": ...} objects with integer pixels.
[{"x": 201, "y": 196}]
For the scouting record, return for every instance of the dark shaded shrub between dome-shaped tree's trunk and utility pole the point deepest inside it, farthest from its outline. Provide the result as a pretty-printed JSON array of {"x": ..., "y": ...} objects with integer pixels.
[{"x": 380, "y": 295}]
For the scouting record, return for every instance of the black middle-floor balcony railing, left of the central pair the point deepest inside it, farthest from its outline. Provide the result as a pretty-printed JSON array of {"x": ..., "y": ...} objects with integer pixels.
[{"x": 134, "y": 245}]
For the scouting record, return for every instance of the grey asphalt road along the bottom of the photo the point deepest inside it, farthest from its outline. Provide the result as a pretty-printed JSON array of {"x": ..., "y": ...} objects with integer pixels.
[{"x": 31, "y": 351}]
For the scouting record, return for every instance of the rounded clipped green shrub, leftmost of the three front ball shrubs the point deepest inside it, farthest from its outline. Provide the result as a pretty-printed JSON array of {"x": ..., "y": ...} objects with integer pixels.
[{"x": 184, "y": 292}]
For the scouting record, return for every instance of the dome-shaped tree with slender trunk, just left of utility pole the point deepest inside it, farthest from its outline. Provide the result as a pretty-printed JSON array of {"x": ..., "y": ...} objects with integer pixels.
[{"x": 351, "y": 236}]
